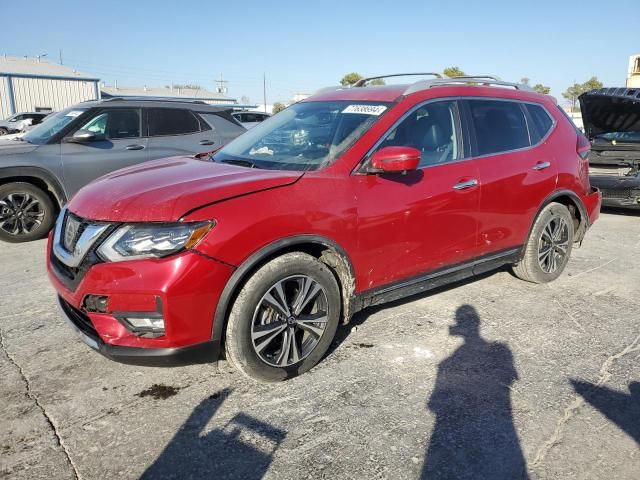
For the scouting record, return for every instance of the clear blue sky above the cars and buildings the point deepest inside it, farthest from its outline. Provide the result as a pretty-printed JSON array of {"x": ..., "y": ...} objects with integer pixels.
[{"x": 302, "y": 46}]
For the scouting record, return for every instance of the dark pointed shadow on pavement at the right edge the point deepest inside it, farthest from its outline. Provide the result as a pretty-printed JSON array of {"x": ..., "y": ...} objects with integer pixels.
[{"x": 621, "y": 408}]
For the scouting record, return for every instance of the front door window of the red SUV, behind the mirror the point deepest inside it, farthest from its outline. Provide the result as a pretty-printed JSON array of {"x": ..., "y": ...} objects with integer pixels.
[{"x": 431, "y": 129}]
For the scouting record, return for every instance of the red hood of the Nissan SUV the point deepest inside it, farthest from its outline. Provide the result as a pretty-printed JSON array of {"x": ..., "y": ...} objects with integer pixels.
[{"x": 165, "y": 190}]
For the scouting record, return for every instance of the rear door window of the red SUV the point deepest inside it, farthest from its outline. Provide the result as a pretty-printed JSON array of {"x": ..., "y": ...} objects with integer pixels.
[{"x": 500, "y": 126}]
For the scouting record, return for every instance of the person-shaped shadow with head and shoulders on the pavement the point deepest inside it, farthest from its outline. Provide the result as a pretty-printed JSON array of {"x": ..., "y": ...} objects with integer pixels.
[{"x": 474, "y": 435}]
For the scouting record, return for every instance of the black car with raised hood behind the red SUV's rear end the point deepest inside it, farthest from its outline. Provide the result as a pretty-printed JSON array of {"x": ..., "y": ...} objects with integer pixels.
[{"x": 611, "y": 118}]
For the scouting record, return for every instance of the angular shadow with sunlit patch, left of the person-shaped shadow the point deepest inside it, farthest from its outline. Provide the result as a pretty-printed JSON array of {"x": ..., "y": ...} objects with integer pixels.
[{"x": 227, "y": 452}]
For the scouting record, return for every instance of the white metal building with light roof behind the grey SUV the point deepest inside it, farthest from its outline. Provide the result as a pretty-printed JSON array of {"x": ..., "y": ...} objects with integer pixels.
[{"x": 34, "y": 84}]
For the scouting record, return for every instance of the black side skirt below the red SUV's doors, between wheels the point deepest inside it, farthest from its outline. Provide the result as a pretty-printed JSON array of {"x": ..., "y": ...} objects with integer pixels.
[{"x": 435, "y": 279}]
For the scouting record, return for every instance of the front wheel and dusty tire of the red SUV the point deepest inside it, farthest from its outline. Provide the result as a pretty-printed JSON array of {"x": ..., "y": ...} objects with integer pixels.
[{"x": 284, "y": 318}]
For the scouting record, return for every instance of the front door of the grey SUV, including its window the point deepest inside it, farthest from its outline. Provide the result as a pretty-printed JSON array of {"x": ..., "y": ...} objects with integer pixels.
[{"x": 118, "y": 144}]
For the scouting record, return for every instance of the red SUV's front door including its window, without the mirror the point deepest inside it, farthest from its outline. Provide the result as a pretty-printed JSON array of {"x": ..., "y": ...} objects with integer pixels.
[{"x": 424, "y": 220}]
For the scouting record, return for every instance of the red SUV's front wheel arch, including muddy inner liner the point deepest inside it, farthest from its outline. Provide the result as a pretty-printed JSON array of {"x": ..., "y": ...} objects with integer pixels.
[{"x": 322, "y": 248}]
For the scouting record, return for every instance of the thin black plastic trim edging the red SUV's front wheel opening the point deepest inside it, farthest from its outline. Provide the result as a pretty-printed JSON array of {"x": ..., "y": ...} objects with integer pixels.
[{"x": 240, "y": 274}]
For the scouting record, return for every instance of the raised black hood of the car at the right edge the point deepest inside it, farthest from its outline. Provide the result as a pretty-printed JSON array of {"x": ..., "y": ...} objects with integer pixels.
[{"x": 607, "y": 110}]
